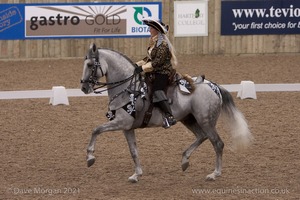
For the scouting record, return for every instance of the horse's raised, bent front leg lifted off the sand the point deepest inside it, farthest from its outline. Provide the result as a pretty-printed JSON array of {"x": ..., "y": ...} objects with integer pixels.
[{"x": 116, "y": 124}]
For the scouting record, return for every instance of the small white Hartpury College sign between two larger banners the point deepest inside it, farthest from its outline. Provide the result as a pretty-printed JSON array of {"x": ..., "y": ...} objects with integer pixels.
[{"x": 190, "y": 18}]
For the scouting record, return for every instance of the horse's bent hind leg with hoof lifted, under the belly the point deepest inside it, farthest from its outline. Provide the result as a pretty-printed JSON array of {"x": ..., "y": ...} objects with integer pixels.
[{"x": 192, "y": 125}]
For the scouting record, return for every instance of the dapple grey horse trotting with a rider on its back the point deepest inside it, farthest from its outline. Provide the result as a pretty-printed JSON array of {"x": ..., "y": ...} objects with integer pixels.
[{"x": 128, "y": 102}]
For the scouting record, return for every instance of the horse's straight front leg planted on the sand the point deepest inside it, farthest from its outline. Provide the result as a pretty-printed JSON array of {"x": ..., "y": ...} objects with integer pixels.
[{"x": 130, "y": 137}]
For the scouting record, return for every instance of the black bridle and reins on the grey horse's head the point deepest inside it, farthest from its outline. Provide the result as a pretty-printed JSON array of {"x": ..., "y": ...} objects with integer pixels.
[{"x": 93, "y": 79}]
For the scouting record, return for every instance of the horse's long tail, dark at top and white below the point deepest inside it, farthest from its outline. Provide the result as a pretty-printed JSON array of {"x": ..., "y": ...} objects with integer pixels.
[{"x": 240, "y": 133}]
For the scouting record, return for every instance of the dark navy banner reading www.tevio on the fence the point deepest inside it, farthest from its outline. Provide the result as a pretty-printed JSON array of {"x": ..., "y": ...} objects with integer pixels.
[{"x": 257, "y": 17}]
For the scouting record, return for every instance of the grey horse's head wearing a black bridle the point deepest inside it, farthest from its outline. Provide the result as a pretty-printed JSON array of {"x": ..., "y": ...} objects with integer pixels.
[{"x": 92, "y": 70}]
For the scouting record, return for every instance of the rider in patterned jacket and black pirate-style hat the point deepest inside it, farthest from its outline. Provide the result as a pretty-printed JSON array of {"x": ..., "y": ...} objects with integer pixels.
[{"x": 158, "y": 63}]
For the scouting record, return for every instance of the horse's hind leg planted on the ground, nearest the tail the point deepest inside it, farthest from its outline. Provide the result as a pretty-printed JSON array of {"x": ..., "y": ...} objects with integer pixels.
[{"x": 218, "y": 146}]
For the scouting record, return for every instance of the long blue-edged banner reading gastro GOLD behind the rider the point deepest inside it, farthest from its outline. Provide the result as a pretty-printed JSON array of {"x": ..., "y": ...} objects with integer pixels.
[{"x": 76, "y": 20}]
